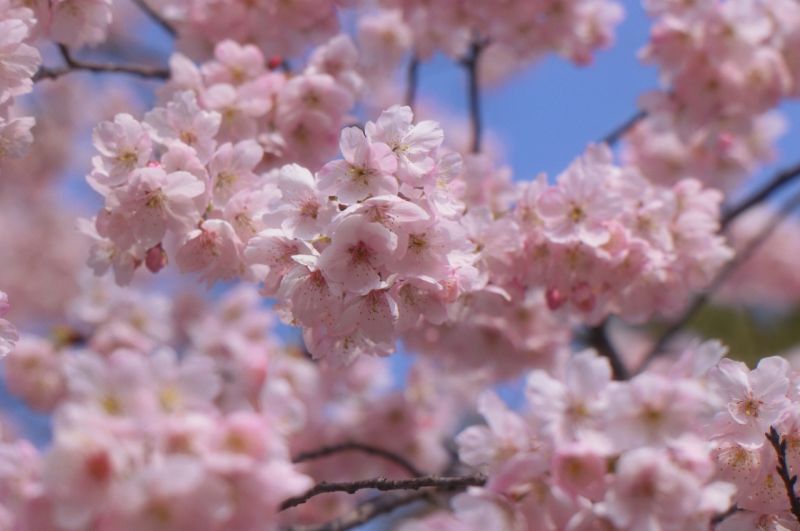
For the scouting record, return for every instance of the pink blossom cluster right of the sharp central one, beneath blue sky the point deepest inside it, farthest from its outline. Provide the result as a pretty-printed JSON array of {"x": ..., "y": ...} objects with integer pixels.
[{"x": 603, "y": 240}]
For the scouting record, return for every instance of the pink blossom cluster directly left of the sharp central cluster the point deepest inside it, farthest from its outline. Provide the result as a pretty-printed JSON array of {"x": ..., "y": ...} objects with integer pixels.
[{"x": 189, "y": 170}]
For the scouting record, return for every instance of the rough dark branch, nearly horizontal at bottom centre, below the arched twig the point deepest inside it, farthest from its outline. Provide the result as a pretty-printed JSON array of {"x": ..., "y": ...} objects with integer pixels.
[{"x": 351, "y": 487}]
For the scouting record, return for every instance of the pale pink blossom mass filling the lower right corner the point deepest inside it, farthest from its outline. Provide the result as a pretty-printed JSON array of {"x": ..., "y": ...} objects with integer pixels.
[{"x": 670, "y": 449}]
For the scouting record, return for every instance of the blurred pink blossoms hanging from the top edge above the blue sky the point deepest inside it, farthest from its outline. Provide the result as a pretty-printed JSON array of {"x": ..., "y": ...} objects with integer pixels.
[{"x": 523, "y": 30}]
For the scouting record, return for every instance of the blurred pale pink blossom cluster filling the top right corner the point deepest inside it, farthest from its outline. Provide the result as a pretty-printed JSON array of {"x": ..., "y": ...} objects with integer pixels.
[{"x": 725, "y": 65}]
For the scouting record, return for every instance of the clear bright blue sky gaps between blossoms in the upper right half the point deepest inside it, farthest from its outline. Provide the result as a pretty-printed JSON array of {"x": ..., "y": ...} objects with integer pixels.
[{"x": 546, "y": 115}]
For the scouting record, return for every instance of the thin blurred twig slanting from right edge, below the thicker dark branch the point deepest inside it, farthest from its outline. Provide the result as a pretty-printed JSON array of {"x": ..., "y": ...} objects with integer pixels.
[{"x": 722, "y": 276}]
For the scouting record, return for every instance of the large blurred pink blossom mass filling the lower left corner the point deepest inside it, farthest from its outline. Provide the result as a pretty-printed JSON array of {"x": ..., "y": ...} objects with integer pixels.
[{"x": 146, "y": 438}]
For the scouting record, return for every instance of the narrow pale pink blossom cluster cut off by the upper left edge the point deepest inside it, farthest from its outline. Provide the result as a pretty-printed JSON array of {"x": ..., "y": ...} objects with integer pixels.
[{"x": 18, "y": 63}]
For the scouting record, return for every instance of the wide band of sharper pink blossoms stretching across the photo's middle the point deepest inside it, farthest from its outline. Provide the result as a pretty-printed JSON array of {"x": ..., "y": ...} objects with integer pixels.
[{"x": 395, "y": 236}]
